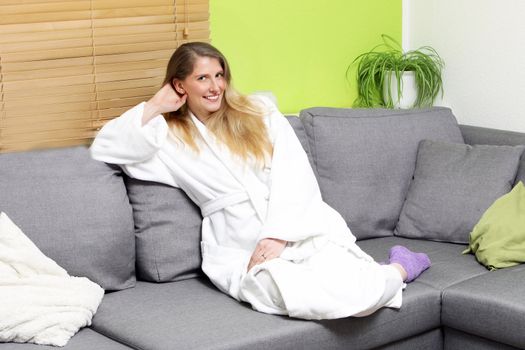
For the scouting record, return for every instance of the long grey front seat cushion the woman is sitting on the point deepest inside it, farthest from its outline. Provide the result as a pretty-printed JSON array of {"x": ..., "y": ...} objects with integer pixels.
[{"x": 193, "y": 314}]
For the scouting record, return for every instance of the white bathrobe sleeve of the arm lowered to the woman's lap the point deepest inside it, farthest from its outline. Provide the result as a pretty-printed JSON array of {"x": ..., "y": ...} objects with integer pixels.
[{"x": 296, "y": 210}]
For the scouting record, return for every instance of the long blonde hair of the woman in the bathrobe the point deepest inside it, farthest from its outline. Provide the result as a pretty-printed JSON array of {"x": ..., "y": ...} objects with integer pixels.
[{"x": 238, "y": 123}]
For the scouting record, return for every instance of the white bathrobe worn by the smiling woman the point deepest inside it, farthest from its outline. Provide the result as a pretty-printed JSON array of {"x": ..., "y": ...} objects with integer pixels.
[{"x": 321, "y": 273}]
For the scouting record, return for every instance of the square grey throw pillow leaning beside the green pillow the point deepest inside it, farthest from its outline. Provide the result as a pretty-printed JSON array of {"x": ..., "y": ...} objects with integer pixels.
[{"x": 452, "y": 186}]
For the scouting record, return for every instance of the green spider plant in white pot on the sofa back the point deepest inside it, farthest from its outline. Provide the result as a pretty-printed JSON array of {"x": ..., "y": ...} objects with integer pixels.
[{"x": 386, "y": 74}]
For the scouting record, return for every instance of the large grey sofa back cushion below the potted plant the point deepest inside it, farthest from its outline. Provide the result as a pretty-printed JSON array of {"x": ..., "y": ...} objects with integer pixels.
[{"x": 365, "y": 158}]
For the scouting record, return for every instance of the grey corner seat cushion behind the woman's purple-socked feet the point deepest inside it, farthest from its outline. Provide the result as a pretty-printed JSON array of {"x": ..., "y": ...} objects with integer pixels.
[{"x": 449, "y": 265}]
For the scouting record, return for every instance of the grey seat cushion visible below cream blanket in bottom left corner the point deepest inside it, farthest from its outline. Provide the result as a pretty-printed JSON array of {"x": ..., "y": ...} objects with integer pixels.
[{"x": 86, "y": 339}]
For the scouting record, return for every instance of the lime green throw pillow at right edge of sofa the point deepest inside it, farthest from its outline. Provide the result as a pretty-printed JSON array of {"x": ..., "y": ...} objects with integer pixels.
[{"x": 498, "y": 239}]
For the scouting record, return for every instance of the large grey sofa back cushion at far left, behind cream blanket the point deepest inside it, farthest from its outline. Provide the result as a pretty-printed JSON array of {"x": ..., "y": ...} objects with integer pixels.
[{"x": 74, "y": 209}]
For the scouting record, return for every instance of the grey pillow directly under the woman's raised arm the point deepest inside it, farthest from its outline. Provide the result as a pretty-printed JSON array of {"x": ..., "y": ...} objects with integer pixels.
[{"x": 167, "y": 231}]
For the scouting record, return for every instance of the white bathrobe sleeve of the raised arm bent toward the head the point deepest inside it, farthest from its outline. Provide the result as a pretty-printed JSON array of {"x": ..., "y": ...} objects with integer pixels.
[{"x": 125, "y": 142}]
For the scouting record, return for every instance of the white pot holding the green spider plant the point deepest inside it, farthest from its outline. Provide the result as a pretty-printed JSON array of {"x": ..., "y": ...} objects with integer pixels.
[{"x": 408, "y": 94}]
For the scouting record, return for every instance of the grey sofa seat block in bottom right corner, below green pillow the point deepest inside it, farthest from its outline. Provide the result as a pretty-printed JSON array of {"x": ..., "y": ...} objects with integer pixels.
[{"x": 490, "y": 306}]
